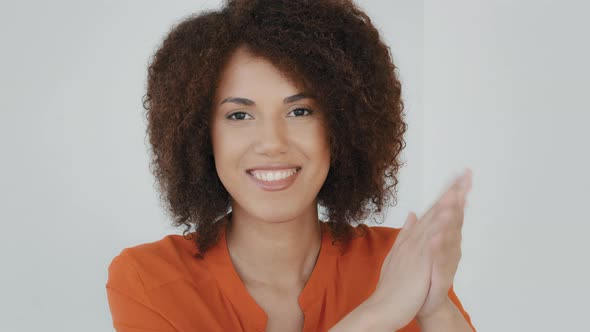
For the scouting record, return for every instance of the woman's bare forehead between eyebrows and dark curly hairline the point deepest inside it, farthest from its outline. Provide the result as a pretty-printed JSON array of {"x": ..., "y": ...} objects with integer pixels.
[{"x": 246, "y": 74}]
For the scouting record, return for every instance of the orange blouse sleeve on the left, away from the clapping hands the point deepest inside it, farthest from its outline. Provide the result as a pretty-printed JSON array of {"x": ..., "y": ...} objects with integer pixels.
[{"x": 129, "y": 304}]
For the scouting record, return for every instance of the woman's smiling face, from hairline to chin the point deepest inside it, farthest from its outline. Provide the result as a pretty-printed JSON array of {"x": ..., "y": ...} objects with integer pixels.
[{"x": 260, "y": 119}]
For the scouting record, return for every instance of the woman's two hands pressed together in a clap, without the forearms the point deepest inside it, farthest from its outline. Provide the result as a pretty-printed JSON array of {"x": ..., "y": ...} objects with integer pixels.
[{"x": 418, "y": 271}]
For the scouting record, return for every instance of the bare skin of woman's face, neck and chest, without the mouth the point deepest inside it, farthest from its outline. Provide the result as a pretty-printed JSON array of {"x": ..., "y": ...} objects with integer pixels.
[{"x": 275, "y": 237}]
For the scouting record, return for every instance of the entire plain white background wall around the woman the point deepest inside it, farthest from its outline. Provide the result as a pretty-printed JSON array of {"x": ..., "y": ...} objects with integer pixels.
[{"x": 497, "y": 86}]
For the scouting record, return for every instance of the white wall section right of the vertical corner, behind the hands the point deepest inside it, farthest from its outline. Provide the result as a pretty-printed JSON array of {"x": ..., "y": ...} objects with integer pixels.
[{"x": 506, "y": 92}]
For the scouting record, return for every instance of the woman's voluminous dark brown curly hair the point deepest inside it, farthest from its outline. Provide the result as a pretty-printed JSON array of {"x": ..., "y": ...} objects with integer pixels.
[{"x": 332, "y": 48}]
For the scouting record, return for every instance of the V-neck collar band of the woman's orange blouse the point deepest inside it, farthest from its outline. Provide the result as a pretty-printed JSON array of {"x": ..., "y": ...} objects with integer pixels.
[{"x": 219, "y": 262}]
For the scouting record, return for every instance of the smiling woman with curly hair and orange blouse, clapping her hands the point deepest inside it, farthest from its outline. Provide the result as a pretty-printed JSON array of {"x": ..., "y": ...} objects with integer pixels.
[{"x": 257, "y": 114}]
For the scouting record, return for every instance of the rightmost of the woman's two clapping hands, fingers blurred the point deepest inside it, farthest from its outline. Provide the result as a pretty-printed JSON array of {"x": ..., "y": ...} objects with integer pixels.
[{"x": 445, "y": 221}]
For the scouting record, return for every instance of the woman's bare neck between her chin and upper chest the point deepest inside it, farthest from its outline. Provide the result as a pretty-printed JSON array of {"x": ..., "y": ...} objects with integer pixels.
[{"x": 278, "y": 253}]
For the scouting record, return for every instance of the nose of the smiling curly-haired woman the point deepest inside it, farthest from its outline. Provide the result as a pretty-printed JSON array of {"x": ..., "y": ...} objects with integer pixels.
[{"x": 271, "y": 137}]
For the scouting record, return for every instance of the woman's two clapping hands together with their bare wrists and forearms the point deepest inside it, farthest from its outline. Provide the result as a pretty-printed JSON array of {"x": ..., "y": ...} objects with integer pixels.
[{"x": 418, "y": 272}]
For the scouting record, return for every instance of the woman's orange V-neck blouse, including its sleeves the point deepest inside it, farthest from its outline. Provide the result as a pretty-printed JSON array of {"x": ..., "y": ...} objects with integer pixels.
[{"x": 160, "y": 286}]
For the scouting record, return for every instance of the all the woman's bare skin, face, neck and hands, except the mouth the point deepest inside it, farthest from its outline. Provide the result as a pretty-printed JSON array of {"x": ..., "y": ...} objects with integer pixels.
[{"x": 274, "y": 238}]
